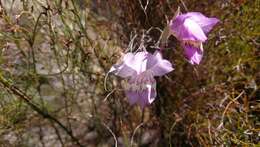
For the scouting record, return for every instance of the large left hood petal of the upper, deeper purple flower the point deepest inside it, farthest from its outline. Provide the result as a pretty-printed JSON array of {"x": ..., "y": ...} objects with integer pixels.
[{"x": 185, "y": 28}]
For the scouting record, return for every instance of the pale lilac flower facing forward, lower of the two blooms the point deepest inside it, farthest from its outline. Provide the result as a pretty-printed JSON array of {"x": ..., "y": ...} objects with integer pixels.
[{"x": 139, "y": 69}]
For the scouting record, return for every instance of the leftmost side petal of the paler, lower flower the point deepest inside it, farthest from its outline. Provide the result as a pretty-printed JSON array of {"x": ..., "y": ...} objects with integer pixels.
[{"x": 122, "y": 70}]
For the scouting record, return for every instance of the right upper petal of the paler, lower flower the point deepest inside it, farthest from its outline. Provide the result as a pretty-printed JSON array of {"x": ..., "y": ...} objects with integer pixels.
[{"x": 158, "y": 65}]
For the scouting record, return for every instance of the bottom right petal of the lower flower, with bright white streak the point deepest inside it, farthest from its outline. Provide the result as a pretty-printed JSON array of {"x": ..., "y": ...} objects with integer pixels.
[{"x": 147, "y": 96}]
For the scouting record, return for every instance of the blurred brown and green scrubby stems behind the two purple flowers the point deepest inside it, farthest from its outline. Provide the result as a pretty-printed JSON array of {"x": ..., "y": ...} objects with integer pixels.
[{"x": 54, "y": 59}]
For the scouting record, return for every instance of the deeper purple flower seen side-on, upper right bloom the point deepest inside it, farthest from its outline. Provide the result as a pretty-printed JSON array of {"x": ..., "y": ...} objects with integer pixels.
[{"x": 191, "y": 29}]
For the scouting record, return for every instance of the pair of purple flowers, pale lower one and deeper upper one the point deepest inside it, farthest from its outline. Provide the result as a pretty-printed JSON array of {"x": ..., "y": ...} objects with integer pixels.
[{"x": 140, "y": 68}]
